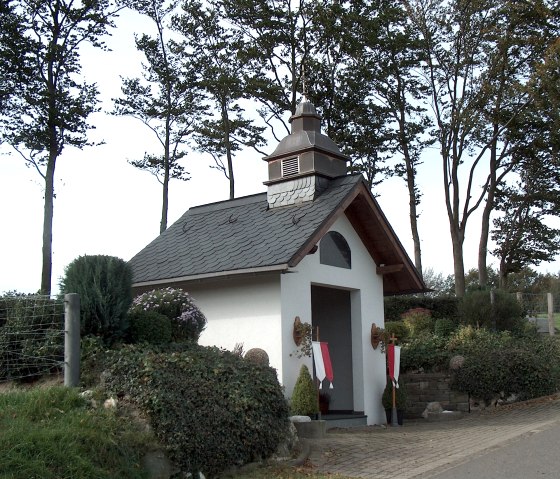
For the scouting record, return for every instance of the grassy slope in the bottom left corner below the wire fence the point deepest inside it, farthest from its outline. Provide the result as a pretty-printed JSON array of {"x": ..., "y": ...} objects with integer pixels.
[{"x": 52, "y": 433}]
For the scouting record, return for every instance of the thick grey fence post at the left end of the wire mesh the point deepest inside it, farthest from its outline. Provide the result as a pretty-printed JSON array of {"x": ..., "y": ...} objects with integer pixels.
[{"x": 71, "y": 339}]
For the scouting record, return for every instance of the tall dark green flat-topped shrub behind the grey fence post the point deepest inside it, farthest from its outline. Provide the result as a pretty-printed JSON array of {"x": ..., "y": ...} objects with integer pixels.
[{"x": 104, "y": 284}]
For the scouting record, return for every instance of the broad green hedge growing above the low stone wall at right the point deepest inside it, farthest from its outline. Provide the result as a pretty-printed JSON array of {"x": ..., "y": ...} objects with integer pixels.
[{"x": 496, "y": 363}]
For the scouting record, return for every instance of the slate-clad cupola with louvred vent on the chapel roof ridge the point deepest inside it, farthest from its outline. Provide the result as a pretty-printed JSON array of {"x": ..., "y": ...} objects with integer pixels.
[{"x": 303, "y": 163}]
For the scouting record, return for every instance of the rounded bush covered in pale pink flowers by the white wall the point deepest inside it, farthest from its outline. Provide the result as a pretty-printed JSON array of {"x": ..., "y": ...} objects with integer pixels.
[{"x": 187, "y": 320}]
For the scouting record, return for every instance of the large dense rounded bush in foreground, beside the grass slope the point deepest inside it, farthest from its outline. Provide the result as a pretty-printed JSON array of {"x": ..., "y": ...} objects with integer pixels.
[{"x": 210, "y": 408}]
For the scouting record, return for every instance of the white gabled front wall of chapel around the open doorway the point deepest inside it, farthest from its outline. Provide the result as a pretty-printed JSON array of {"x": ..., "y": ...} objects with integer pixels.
[{"x": 367, "y": 307}]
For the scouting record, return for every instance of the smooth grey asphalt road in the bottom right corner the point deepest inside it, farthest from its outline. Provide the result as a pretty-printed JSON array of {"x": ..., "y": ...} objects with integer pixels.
[{"x": 533, "y": 455}]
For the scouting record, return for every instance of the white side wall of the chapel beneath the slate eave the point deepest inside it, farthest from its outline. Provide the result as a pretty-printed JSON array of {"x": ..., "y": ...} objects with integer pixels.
[{"x": 244, "y": 310}]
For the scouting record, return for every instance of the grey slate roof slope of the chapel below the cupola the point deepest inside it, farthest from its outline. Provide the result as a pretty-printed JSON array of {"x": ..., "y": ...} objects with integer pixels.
[{"x": 239, "y": 234}]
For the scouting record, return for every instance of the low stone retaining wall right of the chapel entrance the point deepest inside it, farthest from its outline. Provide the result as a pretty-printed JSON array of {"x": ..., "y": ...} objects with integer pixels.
[{"x": 423, "y": 388}]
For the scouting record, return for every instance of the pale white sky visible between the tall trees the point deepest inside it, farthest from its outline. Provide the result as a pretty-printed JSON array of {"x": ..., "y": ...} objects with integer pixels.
[{"x": 105, "y": 206}]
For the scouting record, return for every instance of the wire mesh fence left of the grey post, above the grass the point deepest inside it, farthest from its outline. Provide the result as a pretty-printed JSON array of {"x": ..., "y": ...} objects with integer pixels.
[{"x": 31, "y": 336}]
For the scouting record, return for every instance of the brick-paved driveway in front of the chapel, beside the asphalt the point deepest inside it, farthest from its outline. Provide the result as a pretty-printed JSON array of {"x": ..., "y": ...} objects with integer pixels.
[{"x": 420, "y": 449}]
